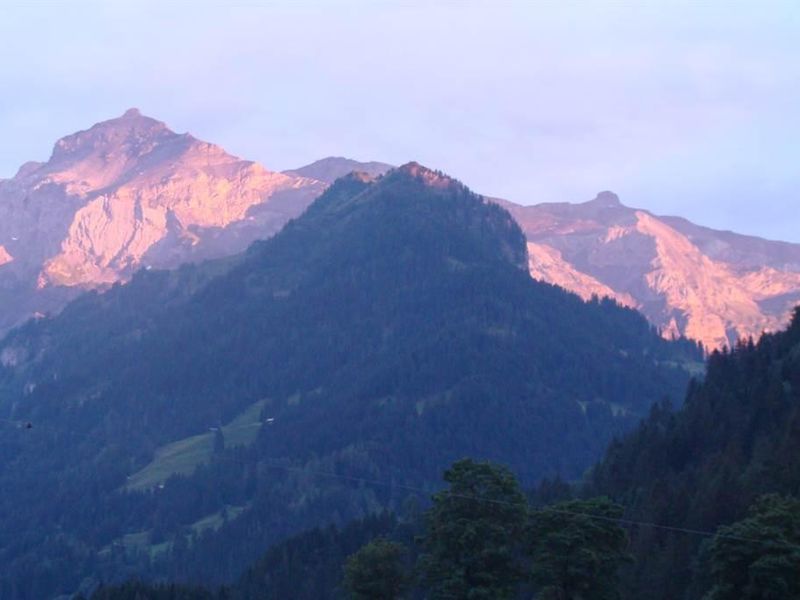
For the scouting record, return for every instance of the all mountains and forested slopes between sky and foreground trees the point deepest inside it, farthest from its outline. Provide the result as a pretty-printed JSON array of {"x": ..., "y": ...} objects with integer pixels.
[{"x": 284, "y": 340}]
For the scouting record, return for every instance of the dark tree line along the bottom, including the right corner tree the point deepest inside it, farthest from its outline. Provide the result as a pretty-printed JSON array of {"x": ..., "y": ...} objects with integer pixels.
[{"x": 482, "y": 538}]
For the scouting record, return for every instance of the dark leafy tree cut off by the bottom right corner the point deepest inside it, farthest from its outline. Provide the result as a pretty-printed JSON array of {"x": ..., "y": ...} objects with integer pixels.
[{"x": 758, "y": 558}]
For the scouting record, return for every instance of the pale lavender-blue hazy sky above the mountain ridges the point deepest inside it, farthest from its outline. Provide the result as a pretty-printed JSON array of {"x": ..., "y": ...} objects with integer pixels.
[{"x": 685, "y": 108}]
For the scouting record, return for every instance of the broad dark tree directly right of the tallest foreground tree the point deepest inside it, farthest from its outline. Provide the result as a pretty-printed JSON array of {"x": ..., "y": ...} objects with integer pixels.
[{"x": 577, "y": 548}]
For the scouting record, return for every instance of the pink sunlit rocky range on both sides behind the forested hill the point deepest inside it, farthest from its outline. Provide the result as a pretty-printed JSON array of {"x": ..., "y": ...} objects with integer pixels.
[{"x": 129, "y": 193}]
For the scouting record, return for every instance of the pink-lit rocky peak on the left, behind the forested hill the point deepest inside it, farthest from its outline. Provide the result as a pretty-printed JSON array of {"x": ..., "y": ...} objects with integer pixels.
[{"x": 126, "y": 194}]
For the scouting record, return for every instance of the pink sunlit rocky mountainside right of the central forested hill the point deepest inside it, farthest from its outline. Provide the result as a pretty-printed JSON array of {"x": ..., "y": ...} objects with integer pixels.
[{"x": 713, "y": 286}]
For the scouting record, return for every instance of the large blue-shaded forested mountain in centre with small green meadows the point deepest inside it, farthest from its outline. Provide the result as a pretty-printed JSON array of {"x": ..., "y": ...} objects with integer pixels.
[{"x": 390, "y": 330}]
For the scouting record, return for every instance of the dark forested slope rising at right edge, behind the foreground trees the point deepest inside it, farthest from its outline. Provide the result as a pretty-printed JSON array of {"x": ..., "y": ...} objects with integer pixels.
[{"x": 737, "y": 437}]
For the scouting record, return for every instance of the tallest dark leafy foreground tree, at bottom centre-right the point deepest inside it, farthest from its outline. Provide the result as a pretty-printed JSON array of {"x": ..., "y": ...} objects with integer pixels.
[{"x": 472, "y": 534}]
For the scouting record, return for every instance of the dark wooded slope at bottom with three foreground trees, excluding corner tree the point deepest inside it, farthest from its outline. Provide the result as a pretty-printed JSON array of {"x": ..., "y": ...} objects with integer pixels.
[{"x": 479, "y": 539}]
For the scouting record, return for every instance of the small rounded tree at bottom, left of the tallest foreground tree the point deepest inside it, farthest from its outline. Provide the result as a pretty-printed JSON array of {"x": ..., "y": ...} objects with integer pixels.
[{"x": 377, "y": 571}]
